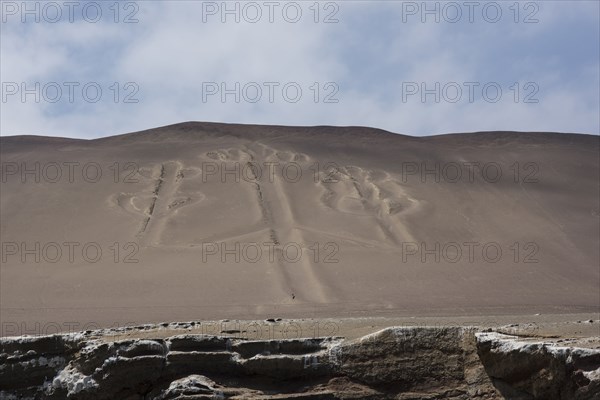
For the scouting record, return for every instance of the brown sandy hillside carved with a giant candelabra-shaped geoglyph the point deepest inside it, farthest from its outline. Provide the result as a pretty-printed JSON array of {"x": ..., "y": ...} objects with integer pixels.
[{"x": 204, "y": 221}]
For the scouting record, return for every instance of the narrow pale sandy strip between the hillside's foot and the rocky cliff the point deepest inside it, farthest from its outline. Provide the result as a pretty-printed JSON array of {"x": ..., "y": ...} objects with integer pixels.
[{"x": 565, "y": 329}]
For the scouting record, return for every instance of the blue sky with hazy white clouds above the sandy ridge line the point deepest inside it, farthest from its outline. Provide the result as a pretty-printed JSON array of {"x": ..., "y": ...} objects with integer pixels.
[{"x": 89, "y": 69}]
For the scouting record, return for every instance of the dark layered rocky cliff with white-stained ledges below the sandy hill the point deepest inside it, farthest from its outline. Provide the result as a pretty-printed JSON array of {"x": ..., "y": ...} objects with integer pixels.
[{"x": 395, "y": 363}]
